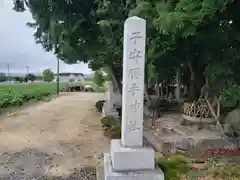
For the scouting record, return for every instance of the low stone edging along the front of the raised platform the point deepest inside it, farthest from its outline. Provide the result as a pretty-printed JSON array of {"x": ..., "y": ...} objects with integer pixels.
[{"x": 194, "y": 146}]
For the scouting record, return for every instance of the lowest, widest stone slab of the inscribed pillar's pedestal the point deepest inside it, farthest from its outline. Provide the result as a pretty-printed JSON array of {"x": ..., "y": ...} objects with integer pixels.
[{"x": 109, "y": 174}]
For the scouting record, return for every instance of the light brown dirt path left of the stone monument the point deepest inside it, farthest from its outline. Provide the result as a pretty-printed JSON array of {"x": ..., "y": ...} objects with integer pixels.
[{"x": 53, "y": 137}]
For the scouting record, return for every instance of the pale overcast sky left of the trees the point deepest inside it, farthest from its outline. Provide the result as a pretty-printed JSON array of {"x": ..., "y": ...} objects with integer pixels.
[{"x": 18, "y": 48}]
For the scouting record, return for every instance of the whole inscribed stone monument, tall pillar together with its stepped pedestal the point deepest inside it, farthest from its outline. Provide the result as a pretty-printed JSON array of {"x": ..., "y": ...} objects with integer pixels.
[{"x": 128, "y": 158}]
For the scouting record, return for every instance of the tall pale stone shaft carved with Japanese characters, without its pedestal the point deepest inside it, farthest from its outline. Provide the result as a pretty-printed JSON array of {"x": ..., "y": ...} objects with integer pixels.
[{"x": 133, "y": 81}]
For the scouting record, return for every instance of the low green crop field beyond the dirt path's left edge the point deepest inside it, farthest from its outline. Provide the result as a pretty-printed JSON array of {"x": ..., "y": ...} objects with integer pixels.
[{"x": 17, "y": 94}]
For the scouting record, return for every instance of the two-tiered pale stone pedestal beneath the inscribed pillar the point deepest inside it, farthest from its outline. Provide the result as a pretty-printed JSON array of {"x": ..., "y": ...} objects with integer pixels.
[{"x": 135, "y": 163}]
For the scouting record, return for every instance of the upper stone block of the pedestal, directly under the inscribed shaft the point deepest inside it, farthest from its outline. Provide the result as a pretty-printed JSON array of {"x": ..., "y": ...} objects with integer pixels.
[{"x": 123, "y": 158}]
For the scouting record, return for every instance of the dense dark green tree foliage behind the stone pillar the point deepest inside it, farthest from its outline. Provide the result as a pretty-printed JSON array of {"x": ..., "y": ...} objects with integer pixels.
[{"x": 201, "y": 37}]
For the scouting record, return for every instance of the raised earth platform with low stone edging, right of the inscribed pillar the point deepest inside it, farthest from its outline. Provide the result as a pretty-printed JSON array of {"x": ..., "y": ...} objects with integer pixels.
[{"x": 169, "y": 138}]
